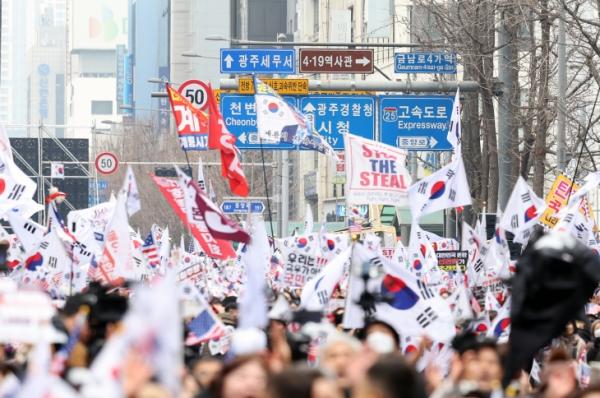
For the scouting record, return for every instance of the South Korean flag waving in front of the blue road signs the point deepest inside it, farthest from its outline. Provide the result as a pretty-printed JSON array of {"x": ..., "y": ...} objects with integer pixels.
[{"x": 276, "y": 120}]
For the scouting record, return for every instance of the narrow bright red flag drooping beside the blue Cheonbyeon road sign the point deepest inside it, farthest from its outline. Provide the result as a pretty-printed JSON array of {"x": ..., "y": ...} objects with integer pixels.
[{"x": 220, "y": 138}]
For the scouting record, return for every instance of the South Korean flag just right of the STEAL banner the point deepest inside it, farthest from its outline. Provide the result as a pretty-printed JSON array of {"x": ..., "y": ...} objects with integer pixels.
[{"x": 444, "y": 189}]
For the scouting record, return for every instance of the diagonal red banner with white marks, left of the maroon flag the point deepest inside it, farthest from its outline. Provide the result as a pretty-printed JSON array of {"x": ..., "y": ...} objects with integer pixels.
[{"x": 215, "y": 248}]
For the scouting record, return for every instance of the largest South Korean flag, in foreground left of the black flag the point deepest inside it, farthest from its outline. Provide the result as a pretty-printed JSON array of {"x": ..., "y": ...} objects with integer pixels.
[{"x": 414, "y": 308}]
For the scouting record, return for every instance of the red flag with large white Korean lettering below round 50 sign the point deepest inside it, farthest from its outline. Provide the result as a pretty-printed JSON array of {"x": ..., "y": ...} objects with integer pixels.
[{"x": 192, "y": 123}]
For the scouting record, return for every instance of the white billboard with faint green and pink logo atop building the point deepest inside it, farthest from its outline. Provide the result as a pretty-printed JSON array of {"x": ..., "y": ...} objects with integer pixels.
[{"x": 98, "y": 24}]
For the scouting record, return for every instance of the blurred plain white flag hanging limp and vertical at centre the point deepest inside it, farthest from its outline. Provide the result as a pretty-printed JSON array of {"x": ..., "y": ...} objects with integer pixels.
[{"x": 253, "y": 303}]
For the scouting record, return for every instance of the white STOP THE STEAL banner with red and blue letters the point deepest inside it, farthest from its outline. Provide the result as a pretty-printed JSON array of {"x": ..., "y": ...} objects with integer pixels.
[{"x": 375, "y": 173}]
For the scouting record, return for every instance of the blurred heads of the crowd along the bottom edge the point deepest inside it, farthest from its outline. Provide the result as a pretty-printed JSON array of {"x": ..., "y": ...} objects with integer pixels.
[{"x": 284, "y": 361}]
